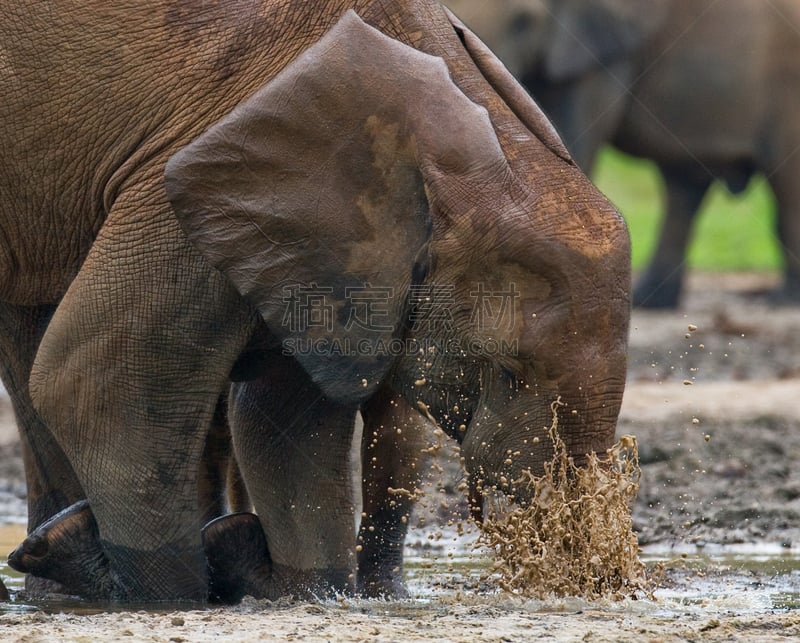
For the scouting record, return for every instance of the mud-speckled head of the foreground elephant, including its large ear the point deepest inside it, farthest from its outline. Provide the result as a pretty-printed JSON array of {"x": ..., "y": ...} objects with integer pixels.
[{"x": 406, "y": 214}]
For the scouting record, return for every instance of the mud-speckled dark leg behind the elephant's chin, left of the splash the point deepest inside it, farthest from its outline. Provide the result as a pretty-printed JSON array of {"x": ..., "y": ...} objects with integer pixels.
[{"x": 392, "y": 454}]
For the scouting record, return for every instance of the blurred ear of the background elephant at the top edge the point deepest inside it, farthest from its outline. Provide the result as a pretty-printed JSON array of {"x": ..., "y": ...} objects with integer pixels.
[{"x": 592, "y": 35}]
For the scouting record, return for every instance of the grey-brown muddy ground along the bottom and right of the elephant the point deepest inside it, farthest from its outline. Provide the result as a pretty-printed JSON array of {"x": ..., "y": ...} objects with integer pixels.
[{"x": 716, "y": 410}]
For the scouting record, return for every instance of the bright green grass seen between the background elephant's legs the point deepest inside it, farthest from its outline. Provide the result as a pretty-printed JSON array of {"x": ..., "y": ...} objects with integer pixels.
[{"x": 731, "y": 233}]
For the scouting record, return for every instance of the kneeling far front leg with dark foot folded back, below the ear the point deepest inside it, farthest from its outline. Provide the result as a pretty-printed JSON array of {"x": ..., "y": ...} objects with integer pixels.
[{"x": 293, "y": 447}]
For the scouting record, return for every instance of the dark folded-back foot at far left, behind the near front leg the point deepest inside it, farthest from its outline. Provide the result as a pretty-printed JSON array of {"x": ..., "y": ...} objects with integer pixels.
[{"x": 65, "y": 549}]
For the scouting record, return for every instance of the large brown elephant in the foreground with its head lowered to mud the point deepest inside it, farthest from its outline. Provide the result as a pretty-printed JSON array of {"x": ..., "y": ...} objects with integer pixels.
[{"x": 178, "y": 180}]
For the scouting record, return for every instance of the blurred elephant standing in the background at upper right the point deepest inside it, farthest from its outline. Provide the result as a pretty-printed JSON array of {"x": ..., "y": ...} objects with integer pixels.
[{"x": 706, "y": 89}]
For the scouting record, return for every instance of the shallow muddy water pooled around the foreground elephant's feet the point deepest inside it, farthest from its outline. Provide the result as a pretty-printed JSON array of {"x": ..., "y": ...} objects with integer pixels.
[{"x": 441, "y": 567}]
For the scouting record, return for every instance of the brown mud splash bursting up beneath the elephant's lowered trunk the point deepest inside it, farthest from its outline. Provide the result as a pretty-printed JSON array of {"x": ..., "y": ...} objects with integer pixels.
[{"x": 576, "y": 536}]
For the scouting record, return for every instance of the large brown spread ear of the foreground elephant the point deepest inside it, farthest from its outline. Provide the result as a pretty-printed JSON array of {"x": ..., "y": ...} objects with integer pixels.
[{"x": 311, "y": 196}]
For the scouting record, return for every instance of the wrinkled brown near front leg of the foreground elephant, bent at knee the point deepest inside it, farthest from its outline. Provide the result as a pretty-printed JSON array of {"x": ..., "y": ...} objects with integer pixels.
[{"x": 127, "y": 376}]
